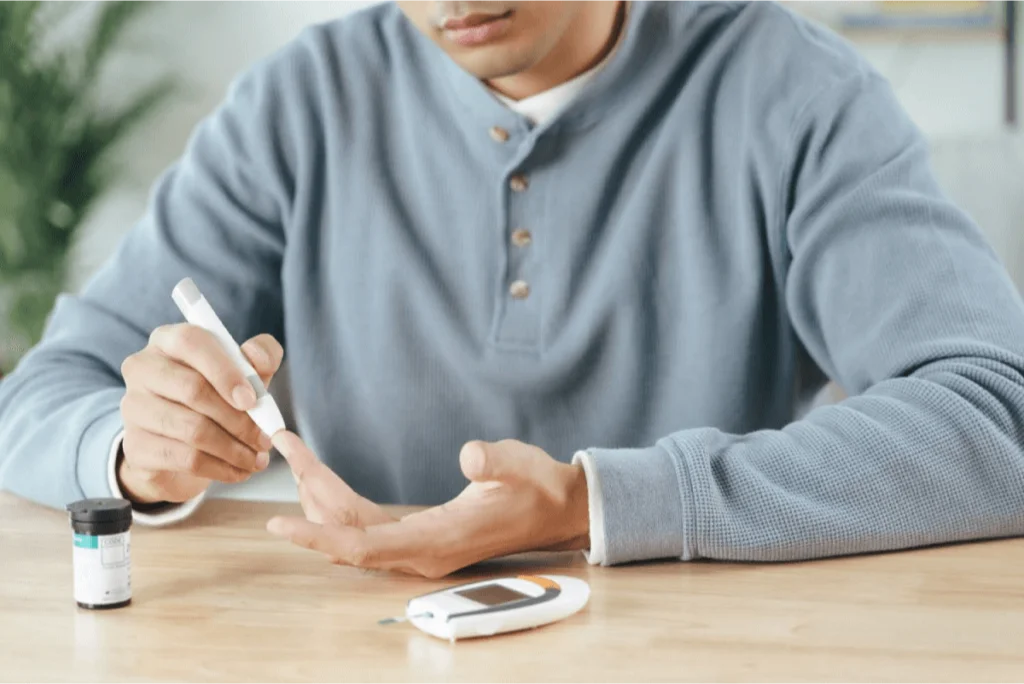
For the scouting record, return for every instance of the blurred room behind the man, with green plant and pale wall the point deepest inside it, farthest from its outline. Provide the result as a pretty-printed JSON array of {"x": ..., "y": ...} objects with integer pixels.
[{"x": 99, "y": 97}]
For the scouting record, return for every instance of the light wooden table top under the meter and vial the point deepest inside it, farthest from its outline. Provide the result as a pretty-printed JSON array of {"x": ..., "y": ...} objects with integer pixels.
[{"x": 218, "y": 600}]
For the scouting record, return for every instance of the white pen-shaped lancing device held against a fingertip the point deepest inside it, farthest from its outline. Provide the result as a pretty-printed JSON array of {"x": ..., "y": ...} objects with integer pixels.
[{"x": 198, "y": 312}]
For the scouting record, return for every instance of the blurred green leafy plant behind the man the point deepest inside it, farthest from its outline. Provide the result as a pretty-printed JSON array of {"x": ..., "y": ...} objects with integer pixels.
[{"x": 57, "y": 140}]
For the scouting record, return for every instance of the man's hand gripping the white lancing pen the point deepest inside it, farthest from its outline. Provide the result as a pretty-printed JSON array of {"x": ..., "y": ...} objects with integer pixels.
[{"x": 185, "y": 415}]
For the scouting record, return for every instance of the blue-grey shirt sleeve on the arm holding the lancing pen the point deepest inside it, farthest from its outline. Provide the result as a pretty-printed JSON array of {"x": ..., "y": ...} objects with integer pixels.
[{"x": 219, "y": 216}]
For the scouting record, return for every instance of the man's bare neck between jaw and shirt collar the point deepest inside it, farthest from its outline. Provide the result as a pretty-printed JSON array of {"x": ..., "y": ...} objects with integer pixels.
[{"x": 592, "y": 36}]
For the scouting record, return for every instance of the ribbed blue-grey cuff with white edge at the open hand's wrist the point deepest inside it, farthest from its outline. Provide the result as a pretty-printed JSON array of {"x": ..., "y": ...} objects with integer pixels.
[{"x": 642, "y": 505}]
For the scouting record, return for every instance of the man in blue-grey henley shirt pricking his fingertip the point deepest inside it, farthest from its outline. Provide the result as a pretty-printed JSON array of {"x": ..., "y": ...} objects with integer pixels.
[{"x": 634, "y": 238}]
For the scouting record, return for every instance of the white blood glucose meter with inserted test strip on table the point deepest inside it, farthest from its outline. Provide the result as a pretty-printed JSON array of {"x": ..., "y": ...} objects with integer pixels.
[{"x": 495, "y": 607}]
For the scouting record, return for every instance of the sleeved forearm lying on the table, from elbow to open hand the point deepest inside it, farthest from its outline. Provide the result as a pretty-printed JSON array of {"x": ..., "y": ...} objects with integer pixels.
[{"x": 932, "y": 458}]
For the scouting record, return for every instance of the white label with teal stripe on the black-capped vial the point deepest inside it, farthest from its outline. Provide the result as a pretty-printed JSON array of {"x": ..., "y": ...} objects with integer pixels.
[{"x": 103, "y": 569}]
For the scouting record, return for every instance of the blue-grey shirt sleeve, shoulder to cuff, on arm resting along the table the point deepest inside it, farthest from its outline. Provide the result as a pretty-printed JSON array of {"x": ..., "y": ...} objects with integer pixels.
[{"x": 898, "y": 297}]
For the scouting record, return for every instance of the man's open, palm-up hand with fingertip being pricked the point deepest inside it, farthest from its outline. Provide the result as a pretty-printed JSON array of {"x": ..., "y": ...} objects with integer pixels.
[{"x": 520, "y": 499}]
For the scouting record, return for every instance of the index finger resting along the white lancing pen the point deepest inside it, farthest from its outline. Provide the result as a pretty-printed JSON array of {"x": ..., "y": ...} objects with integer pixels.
[{"x": 199, "y": 350}]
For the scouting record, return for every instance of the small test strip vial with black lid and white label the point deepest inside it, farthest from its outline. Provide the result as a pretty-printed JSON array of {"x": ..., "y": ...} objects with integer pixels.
[{"x": 102, "y": 552}]
